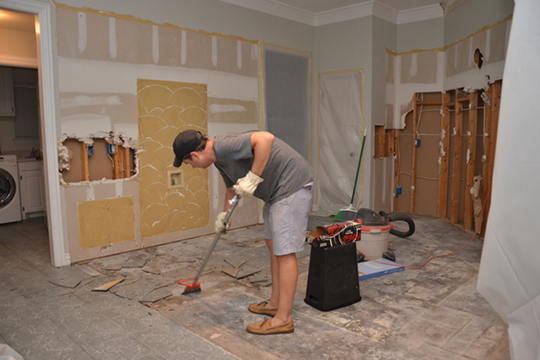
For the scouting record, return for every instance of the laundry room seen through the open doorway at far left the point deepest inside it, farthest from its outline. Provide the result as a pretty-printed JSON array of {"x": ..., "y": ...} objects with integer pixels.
[{"x": 21, "y": 166}]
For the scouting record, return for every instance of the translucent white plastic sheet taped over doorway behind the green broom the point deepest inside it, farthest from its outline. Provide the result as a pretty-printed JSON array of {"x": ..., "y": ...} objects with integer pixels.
[{"x": 341, "y": 128}]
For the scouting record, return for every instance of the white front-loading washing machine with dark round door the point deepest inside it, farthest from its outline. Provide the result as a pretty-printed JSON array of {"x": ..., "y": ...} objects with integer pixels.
[{"x": 10, "y": 195}]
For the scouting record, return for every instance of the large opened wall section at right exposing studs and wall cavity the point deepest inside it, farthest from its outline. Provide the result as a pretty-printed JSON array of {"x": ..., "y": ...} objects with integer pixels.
[{"x": 445, "y": 154}]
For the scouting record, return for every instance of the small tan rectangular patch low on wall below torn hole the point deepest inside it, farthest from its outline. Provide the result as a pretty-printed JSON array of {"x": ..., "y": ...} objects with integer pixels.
[{"x": 105, "y": 222}]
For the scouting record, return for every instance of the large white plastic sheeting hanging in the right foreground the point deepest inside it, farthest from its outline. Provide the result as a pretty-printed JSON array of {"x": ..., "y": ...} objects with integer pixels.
[{"x": 509, "y": 272}]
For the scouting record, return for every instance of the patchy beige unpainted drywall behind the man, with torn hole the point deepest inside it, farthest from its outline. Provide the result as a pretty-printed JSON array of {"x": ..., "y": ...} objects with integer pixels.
[{"x": 122, "y": 76}]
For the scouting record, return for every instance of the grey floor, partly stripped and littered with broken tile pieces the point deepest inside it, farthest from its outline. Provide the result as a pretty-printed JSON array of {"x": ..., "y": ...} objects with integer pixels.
[{"x": 54, "y": 313}]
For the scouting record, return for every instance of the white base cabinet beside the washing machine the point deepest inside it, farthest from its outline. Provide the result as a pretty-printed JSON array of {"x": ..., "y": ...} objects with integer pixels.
[{"x": 32, "y": 188}]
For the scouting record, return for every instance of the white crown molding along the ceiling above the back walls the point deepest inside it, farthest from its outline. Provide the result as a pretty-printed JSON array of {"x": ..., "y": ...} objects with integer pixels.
[{"x": 369, "y": 8}]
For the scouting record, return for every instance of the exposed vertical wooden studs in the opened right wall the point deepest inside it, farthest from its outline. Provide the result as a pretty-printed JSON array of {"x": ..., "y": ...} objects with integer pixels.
[{"x": 450, "y": 193}]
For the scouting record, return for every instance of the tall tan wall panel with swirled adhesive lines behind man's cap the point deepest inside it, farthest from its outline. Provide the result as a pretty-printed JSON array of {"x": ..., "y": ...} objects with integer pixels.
[{"x": 165, "y": 109}]
